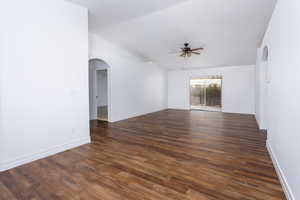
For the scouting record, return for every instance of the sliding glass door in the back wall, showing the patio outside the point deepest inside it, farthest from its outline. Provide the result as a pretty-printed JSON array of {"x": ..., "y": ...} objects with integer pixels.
[{"x": 206, "y": 93}]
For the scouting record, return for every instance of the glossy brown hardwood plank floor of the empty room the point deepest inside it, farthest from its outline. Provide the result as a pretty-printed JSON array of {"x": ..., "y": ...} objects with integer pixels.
[{"x": 170, "y": 154}]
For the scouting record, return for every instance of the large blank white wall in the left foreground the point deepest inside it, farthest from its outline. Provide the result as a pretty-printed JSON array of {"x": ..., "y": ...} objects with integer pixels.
[{"x": 43, "y": 79}]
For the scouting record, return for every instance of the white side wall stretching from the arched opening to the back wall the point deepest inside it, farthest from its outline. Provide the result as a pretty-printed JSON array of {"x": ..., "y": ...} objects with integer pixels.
[{"x": 136, "y": 87}]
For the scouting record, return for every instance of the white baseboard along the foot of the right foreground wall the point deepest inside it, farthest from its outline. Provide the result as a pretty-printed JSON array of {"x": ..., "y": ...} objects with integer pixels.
[{"x": 286, "y": 187}]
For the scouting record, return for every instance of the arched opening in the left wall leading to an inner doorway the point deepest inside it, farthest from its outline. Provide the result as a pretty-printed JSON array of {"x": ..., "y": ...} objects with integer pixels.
[{"x": 99, "y": 90}]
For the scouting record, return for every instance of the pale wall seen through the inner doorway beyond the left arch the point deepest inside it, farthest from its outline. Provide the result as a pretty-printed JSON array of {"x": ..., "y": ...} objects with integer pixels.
[{"x": 102, "y": 88}]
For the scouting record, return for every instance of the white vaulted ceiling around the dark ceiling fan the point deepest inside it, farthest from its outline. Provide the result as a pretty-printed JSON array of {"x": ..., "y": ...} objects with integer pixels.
[{"x": 229, "y": 30}]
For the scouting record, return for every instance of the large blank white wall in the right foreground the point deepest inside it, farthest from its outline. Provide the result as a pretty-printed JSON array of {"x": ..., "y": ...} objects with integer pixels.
[{"x": 283, "y": 111}]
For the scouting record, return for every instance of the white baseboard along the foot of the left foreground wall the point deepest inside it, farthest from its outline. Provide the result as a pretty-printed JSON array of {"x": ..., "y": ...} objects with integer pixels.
[{"x": 6, "y": 165}]
